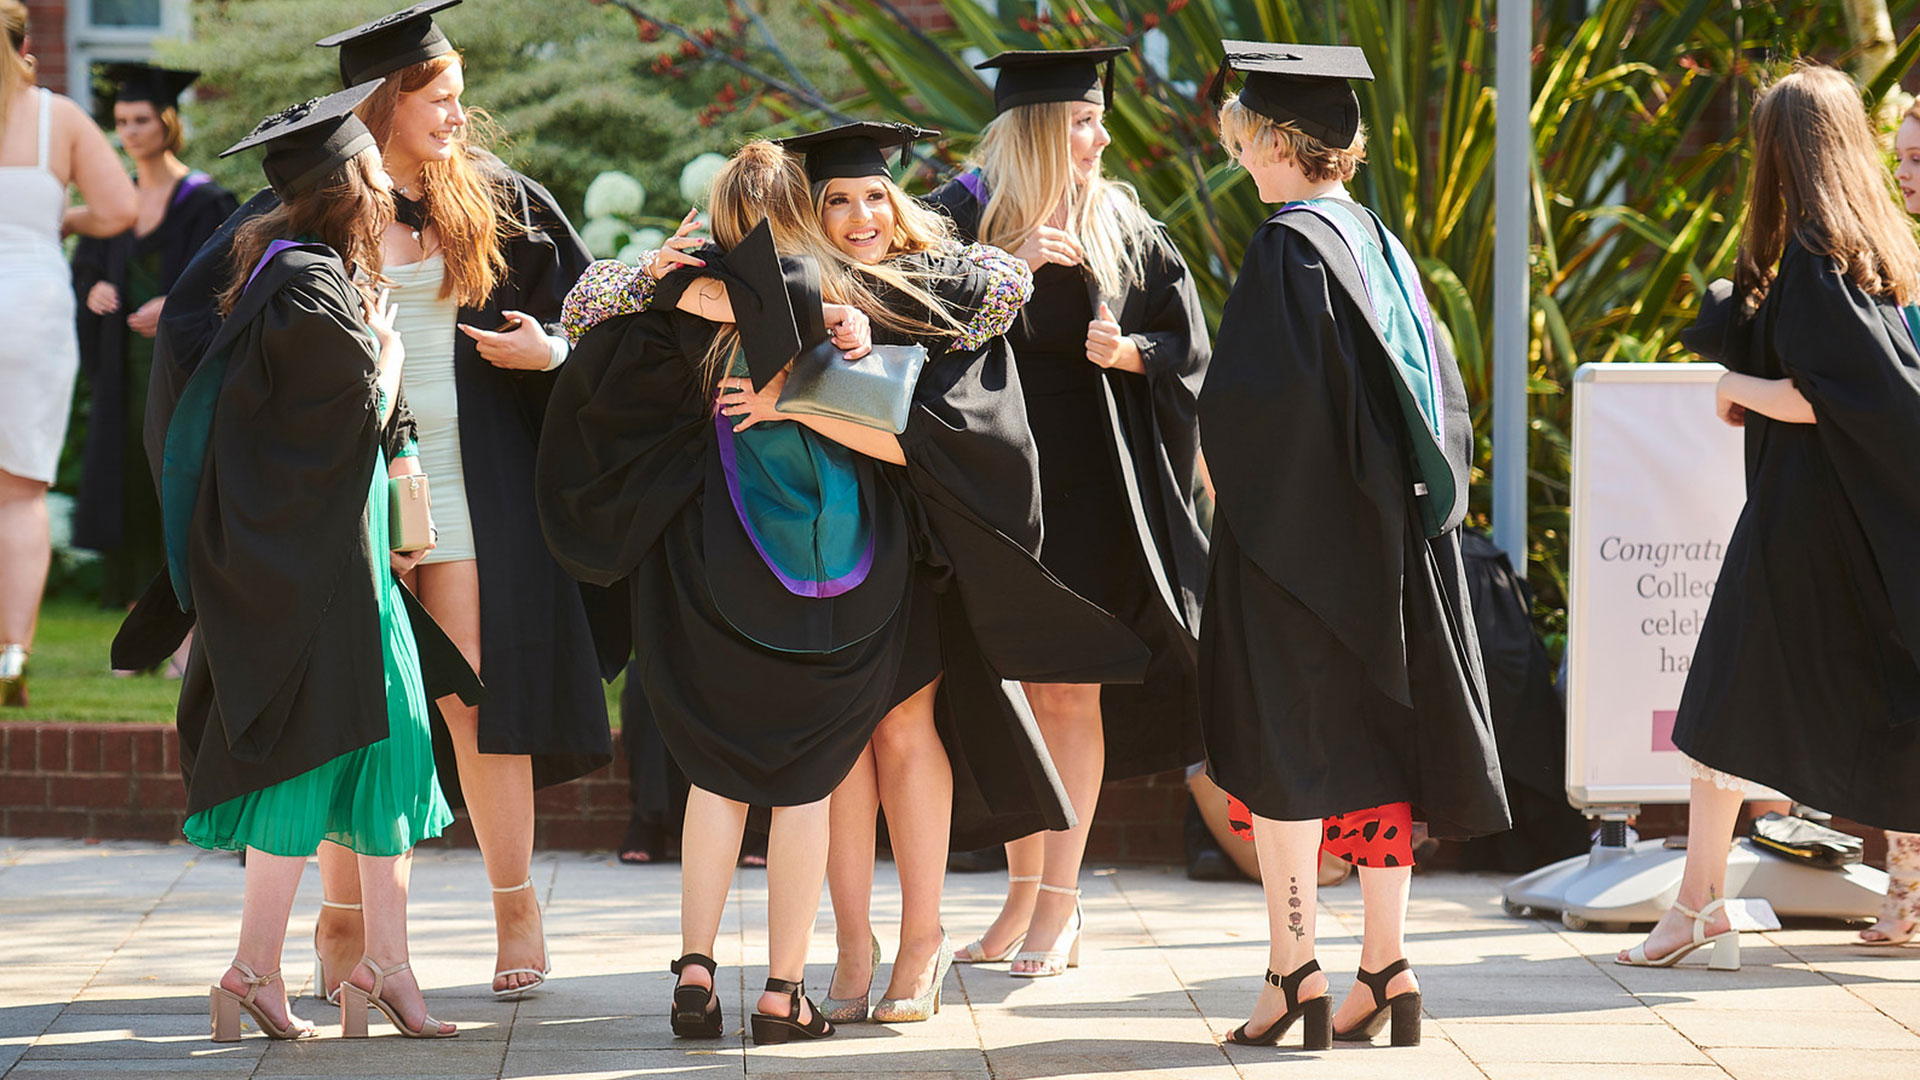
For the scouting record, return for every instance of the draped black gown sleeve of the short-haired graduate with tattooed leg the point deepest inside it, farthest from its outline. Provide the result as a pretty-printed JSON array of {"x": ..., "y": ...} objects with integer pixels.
[{"x": 1295, "y": 439}]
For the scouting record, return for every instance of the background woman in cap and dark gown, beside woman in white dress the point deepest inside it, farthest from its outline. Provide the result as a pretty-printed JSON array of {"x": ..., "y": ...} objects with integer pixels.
[{"x": 122, "y": 283}]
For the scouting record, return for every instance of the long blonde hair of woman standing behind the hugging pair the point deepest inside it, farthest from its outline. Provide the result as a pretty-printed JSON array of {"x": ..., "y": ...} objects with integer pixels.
[{"x": 1030, "y": 178}]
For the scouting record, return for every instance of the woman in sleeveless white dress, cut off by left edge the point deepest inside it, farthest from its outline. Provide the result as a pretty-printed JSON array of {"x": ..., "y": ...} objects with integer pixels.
[{"x": 47, "y": 143}]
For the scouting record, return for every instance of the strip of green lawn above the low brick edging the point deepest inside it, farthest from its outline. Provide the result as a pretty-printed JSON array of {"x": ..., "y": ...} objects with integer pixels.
[{"x": 70, "y": 679}]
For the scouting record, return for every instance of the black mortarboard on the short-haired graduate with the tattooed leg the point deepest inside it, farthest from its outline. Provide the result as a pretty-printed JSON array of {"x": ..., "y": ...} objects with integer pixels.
[{"x": 1303, "y": 84}]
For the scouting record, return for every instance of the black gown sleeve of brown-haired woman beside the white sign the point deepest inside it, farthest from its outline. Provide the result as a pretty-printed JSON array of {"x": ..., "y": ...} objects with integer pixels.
[{"x": 1861, "y": 374}]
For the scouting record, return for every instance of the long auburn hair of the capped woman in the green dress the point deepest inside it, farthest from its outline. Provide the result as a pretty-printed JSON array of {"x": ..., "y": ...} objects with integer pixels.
[{"x": 347, "y": 212}]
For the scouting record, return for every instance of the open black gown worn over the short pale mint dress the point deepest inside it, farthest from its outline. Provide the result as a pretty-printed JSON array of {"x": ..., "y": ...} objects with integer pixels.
[{"x": 546, "y": 643}]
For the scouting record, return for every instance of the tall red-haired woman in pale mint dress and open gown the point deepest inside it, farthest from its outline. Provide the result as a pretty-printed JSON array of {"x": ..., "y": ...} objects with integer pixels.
[{"x": 481, "y": 258}]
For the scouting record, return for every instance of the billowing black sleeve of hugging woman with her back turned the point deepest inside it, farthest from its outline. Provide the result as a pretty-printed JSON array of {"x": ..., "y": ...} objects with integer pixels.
[{"x": 623, "y": 449}]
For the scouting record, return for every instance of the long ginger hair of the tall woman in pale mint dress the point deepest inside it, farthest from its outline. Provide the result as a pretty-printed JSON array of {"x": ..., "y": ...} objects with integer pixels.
[{"x": 462, "y": 201}]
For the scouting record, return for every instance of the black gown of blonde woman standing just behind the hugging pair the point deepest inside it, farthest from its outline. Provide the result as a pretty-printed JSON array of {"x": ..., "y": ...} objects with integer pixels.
[{"x": 1153, "y": 447}]
